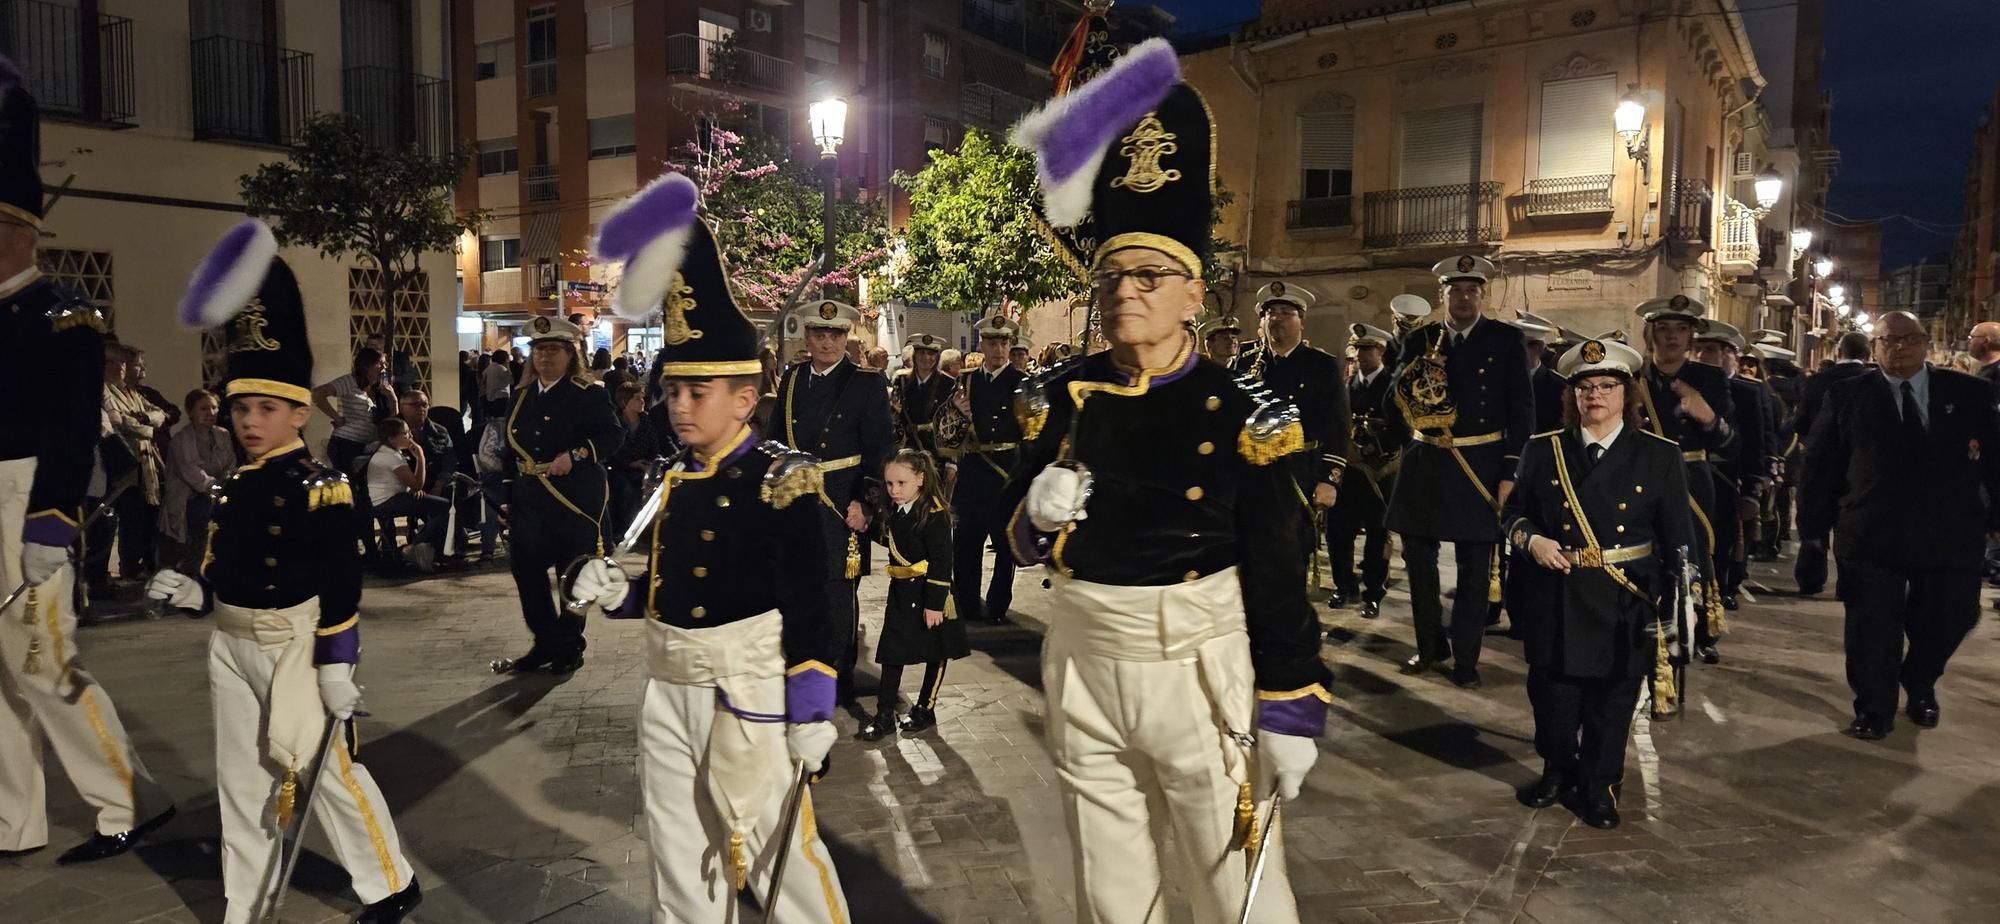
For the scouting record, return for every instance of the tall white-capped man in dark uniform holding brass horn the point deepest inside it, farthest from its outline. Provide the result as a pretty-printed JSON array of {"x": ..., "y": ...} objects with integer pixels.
[{"x": 1465, "y": 393}]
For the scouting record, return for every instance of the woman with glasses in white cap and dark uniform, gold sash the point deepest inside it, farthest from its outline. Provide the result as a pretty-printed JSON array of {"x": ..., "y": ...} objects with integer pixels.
[{"x": 1601, "y": 511}]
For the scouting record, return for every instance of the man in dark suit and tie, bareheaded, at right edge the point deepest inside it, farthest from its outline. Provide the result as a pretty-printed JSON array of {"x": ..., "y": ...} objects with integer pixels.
[{"x": 1897, "y": 469}]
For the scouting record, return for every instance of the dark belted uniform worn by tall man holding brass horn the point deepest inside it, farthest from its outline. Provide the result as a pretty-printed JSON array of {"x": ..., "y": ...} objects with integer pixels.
[{"x": 1449, "y": 487}]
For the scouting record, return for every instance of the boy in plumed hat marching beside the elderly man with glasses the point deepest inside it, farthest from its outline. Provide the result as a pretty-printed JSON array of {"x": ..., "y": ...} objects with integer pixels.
[{"x": 739, "y": 647}]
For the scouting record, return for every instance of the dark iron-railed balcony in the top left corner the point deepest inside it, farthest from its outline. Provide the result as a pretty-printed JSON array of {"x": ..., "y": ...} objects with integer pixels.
[{"x": 81, "y": 69}]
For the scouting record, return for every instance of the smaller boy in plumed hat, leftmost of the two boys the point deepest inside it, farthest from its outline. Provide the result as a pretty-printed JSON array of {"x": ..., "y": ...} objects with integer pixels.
[{"x": 283, "y": 579}]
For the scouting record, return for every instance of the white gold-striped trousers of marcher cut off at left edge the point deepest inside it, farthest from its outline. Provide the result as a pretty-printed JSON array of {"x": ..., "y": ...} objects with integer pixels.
[{"x": 49, "y": 693}]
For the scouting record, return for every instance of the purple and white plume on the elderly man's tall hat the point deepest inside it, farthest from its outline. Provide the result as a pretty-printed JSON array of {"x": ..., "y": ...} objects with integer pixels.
[{"x": 1073, "y": 133}]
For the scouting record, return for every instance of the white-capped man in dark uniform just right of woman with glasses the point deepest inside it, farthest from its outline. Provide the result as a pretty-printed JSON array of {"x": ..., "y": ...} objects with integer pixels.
[{"x": 1691, "y": 405}]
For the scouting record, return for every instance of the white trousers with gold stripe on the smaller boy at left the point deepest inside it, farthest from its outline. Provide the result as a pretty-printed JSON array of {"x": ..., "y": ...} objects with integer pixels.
[{"x": 347, "y": 803}]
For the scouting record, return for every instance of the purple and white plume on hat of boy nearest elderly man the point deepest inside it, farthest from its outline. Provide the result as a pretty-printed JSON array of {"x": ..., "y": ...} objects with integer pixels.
[{"x": 649, "y": 233}]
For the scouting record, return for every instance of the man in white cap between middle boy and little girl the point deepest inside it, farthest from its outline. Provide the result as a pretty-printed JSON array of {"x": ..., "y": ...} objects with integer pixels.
[{"x": 839, "y": 413}]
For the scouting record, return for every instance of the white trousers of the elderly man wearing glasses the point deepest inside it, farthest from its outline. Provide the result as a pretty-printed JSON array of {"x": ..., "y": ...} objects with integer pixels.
[{"x": 1145, "y": 687}]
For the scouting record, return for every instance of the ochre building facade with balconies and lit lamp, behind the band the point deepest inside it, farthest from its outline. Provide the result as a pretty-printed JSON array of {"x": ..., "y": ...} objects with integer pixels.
[{"x": 1367, "y": 145}]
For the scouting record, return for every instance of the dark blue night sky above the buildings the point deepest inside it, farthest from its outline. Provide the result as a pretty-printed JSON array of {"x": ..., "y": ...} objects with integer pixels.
[{"x": 1909, "y": 83}]
